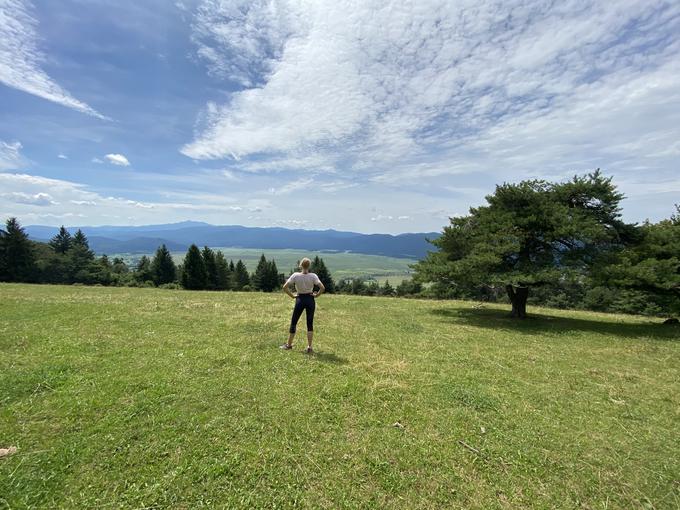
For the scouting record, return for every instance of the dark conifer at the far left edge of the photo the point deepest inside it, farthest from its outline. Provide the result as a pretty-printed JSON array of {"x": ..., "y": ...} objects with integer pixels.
[{"x": 17, "y": 260}]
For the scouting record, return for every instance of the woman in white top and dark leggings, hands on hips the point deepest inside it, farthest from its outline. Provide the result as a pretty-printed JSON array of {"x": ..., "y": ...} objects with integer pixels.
[{"x": 304, "y": 282}]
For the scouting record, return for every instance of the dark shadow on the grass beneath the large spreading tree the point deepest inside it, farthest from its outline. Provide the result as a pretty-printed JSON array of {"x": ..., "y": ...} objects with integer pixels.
[{"x": 539, "y": 324}]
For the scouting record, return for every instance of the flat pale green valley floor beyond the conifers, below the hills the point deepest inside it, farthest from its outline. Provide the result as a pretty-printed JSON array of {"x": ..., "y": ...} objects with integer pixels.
[{"x": 341, "y": 265}]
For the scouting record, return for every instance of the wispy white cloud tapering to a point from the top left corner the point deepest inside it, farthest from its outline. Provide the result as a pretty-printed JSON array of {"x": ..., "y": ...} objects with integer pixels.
[{"x": 21, "y": 59}]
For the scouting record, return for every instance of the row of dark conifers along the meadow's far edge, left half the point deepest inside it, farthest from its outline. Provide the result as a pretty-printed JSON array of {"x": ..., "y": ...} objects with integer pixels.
[{"x": 68, "y": 259}]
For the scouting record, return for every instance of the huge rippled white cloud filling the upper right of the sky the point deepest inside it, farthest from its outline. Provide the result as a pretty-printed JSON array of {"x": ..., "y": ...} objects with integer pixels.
[{"x": 412, "y": 91}]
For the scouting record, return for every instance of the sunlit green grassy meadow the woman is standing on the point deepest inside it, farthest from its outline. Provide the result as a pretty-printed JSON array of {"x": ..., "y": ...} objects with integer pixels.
[{"x": 138, "y": 398}]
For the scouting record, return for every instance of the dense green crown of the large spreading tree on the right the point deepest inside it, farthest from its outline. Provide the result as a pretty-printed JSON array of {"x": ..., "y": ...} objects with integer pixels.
[{"x": 531, "y": 233}]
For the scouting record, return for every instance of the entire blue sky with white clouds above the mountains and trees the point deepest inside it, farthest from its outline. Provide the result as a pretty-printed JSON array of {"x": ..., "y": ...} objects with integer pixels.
[{"x": 370, "y": 116}]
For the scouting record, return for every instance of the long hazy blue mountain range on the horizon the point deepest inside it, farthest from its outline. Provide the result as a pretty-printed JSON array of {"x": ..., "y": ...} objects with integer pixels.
[{"x": 178, "y": 236}]
